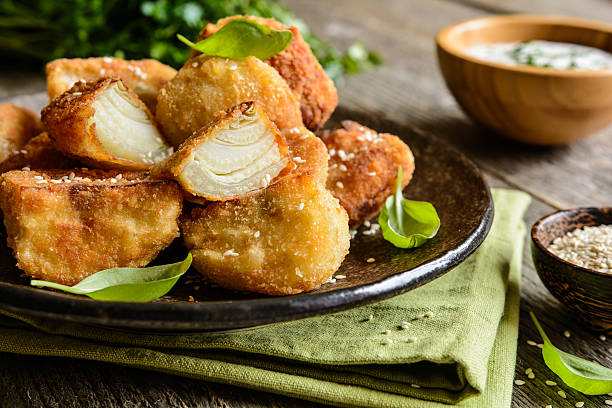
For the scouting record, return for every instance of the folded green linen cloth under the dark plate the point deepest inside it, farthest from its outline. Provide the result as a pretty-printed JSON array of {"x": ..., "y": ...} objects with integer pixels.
[{"x": 466, "y": 349}]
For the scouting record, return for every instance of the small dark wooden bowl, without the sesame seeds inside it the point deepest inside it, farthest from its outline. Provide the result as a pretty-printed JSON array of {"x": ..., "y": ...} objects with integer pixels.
[{"x": 585, "y": 292}]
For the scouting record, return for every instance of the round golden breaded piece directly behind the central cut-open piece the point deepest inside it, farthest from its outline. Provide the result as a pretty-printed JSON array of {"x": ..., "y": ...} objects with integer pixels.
[{"x": 207, "y": 85}]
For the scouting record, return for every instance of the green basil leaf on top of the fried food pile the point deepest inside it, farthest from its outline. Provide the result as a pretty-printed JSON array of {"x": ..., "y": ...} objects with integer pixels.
[{"x": 241, "y": 38}]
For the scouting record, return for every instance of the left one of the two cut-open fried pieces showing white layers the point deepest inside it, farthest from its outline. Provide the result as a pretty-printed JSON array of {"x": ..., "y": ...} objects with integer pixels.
[{"x": 105, "y": 125}]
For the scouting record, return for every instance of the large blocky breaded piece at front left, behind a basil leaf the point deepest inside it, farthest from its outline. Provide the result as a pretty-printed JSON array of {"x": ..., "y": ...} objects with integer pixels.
[{"x": 66, "y": 225}]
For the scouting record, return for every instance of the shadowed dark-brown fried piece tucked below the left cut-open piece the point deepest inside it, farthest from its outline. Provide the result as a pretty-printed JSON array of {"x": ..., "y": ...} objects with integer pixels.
[{"x": 38, "y": 153}]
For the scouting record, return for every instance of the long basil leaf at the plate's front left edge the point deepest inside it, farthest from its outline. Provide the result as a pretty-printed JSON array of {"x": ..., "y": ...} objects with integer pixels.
[{"x": 126, "y": 284}]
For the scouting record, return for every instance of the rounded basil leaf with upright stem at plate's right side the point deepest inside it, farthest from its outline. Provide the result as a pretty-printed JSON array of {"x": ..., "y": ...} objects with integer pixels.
[{"x": 407, "y": 223}]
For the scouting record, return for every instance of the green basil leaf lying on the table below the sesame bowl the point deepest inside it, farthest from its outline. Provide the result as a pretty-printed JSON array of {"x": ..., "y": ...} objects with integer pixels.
[{"x": 582, "y": 375}]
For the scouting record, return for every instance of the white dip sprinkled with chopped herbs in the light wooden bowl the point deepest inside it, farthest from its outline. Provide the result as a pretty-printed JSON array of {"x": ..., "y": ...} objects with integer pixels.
[{"x": 545, "y": 54}]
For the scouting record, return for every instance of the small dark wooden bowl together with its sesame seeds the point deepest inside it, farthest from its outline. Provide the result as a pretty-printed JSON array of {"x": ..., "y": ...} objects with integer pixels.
[{"x": 571, "y": 252}]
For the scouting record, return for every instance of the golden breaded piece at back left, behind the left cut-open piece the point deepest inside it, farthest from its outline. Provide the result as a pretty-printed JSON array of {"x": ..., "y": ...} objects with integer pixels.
[{"x": 145, "y": 77}]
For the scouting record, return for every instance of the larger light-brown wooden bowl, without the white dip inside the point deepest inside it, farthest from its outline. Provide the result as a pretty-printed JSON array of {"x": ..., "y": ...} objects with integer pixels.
[{"x": 533, "y": 105}]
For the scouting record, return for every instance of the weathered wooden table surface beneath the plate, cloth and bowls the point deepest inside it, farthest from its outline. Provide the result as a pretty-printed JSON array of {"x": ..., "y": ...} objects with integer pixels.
[{"x": 408, "y": 89}]
